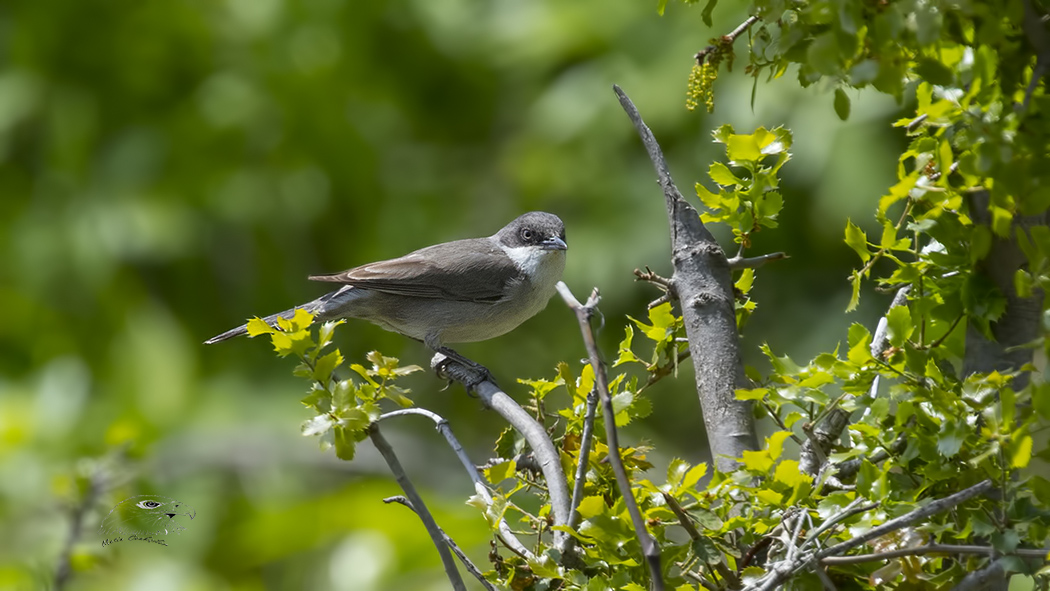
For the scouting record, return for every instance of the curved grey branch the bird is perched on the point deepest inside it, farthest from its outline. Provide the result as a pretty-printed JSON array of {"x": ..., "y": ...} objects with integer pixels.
[{"x": 535, "y": 435}]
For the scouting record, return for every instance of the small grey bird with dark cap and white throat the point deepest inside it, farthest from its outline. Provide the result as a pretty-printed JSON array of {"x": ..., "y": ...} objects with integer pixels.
[{"x": 464, "y": 291}]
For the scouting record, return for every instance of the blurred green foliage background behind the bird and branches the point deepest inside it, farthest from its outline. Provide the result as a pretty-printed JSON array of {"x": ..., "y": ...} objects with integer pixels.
[{"x": 170, "y": 168}]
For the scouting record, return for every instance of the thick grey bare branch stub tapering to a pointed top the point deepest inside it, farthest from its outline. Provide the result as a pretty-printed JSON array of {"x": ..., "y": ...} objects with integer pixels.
[{"x": 704, "y": 286}]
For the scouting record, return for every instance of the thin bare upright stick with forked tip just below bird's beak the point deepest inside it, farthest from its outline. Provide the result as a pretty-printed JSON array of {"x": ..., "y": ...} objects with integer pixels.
[{"x": 648, "y": 543}]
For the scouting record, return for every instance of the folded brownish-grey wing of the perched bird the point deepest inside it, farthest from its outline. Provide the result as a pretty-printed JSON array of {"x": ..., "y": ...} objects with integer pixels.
[{"x": 472, "y": 270}]
